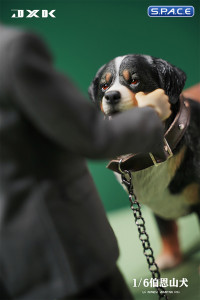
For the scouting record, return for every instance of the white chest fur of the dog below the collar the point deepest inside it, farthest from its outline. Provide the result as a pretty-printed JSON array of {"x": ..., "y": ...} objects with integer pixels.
[{"x": 151, "y": 188}]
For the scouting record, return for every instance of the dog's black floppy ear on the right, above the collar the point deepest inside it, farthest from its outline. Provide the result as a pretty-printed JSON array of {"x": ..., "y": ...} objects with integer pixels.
[{"x": 172, "y": 79}]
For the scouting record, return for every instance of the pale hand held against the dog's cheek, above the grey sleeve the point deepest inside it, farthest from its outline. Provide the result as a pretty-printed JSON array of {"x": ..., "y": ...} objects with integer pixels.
[{"x": 157, "y": 100}]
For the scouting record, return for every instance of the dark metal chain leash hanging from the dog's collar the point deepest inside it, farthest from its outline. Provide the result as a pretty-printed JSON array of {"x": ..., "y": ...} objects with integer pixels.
[{"x": 143, "y": 236}]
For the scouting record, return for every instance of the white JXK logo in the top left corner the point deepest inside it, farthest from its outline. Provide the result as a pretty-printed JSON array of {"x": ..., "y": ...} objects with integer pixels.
[{"x": 36, "y": 13}]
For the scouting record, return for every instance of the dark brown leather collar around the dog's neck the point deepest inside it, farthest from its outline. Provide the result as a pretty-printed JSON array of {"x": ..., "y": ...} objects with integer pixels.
[{"x": 140, "y": 161}]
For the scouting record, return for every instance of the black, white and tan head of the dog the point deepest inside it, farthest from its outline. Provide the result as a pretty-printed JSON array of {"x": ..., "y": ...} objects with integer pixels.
[{"x": 116, "y": 83}]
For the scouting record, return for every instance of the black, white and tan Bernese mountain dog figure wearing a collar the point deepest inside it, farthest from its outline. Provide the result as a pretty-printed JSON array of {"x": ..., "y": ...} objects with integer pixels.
[{"x": 170, "y": 187}]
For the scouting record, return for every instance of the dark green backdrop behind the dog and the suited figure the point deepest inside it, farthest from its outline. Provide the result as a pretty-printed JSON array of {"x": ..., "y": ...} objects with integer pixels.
[{"x": 87, "y": 33}]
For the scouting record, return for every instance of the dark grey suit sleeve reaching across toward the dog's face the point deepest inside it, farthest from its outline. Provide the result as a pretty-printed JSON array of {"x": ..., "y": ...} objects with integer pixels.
[{"x": 59, "y": 110}]
